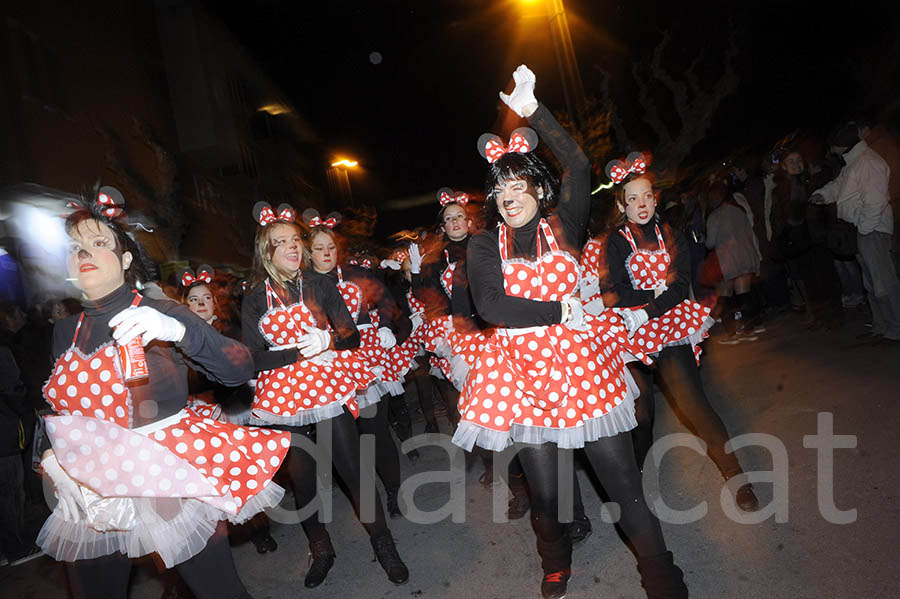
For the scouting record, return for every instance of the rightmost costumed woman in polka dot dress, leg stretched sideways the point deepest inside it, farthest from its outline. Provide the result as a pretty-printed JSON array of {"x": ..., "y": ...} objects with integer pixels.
[{"x": 648, "y": 279}]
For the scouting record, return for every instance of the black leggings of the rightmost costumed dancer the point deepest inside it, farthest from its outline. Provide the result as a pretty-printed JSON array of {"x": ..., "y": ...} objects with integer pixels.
[{"x": 678, "y": 371}]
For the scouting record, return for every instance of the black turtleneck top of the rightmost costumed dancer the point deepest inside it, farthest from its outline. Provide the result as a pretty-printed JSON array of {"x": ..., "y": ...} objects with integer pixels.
[{"x": 617, "y": 288}]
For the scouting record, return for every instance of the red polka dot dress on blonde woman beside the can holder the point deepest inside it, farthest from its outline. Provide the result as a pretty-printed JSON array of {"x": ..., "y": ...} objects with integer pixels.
[{"x": 309, "y": 390}]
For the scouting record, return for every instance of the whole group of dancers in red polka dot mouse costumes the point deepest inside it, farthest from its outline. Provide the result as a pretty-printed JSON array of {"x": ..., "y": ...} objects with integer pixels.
[{"x": 169, "y": 422}]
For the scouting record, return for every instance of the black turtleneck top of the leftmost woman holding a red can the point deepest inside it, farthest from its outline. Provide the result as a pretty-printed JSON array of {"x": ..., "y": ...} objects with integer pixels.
[{"x": 165, "y": 392}]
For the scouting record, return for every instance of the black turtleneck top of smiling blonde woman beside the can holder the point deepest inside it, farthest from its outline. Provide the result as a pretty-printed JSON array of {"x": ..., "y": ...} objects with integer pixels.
[{"x": 319, "y": 296}]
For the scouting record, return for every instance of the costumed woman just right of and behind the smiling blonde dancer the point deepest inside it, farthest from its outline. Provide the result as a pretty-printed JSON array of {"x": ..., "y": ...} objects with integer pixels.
[{"x": 363, "y": 294}]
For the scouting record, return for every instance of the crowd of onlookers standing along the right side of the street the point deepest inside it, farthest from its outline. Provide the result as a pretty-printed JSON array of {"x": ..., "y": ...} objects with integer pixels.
[{"x": 803, "y": 227}]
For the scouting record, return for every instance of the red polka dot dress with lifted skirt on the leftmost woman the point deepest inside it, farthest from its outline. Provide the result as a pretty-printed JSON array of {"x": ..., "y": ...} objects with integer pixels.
[{"x": 161, "y": 488}]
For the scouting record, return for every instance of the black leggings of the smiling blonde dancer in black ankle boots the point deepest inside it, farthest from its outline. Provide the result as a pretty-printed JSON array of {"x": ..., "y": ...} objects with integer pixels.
[{"x": 346, "y": 459}]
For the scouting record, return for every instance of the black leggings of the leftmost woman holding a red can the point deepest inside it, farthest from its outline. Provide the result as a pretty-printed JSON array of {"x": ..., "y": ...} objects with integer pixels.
[{"x": 209, "y": 575}]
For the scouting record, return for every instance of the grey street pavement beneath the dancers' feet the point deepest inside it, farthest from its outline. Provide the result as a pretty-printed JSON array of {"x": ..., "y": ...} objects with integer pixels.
[{"x": 780, "y": 385}]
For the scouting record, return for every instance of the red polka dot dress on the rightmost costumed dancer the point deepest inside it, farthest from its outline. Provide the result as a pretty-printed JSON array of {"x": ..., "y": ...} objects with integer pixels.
[{"x": 686, "y": 323}]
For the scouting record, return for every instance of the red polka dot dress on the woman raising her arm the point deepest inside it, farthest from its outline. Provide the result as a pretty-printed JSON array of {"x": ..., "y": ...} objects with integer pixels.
[{"x": 547, "y": 383}]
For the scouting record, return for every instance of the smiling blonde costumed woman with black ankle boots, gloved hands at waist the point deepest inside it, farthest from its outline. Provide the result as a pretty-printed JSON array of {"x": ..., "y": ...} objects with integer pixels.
[{"x": 307, "y": 375}]
